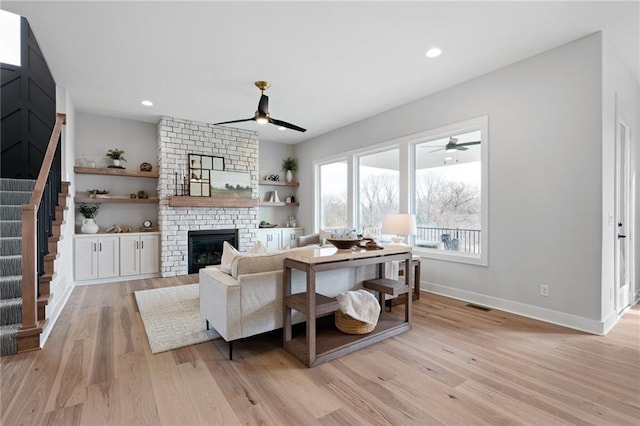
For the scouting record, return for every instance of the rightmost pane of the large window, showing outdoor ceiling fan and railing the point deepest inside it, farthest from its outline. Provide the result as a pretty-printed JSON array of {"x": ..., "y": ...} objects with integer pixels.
[{"x": 449, "y": 195}]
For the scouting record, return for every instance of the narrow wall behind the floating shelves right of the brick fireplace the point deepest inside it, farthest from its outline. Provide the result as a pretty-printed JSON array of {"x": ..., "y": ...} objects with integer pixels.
[{"x": 271, "y": 156}]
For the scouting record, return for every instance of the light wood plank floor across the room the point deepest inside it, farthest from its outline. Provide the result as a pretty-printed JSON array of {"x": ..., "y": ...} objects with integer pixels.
[{"x": 459, "y": 365}]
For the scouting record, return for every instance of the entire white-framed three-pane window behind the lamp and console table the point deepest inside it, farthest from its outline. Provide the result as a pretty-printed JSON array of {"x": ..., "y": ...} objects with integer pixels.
[{"x": 440, "y": 175}]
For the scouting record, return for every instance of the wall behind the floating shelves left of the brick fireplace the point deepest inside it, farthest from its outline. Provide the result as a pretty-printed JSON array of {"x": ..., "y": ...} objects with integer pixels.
[{"x": 95, "y": 135}]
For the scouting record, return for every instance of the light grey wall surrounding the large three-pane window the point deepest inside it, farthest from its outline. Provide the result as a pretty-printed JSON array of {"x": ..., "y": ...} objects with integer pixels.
[{"x": 545, "y": 181}]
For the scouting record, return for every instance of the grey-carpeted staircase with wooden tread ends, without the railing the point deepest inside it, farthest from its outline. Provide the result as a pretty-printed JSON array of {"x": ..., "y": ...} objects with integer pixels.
[{"x": 13, "y": 194}]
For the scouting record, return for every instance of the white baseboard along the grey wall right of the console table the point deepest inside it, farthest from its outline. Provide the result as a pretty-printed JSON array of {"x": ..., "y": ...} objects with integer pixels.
[{"x": 529, "y": 311}]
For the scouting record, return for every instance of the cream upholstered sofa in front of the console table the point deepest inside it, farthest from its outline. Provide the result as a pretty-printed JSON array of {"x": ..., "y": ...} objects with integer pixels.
[{"x": 249, "y": 300}]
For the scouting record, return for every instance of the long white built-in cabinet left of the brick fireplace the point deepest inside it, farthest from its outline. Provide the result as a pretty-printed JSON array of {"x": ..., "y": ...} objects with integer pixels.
[{"x": 115, "y": 257}]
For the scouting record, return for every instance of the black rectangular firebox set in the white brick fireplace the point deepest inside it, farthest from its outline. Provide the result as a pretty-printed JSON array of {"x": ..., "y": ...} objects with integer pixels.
[{"x": 205, "y": 247}]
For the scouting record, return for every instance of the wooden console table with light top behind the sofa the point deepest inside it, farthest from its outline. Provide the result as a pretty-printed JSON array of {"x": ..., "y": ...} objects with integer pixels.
[{"x": 319, "y": 346}]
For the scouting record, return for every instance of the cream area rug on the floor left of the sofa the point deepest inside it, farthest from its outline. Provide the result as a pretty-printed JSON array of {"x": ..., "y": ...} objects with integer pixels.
[{"x": 171, "y": 317}]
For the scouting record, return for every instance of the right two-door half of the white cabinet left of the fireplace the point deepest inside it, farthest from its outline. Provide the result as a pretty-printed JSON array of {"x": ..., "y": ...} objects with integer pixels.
[{"x": 139, "y": 254}]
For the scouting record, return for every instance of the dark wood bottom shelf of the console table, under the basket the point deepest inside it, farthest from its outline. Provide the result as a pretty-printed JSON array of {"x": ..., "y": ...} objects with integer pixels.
[{"x": 331, "y": 343}]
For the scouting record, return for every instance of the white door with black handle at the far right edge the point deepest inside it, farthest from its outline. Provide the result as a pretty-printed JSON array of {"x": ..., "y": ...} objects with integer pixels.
[{"x": 623, "y": 230}]
